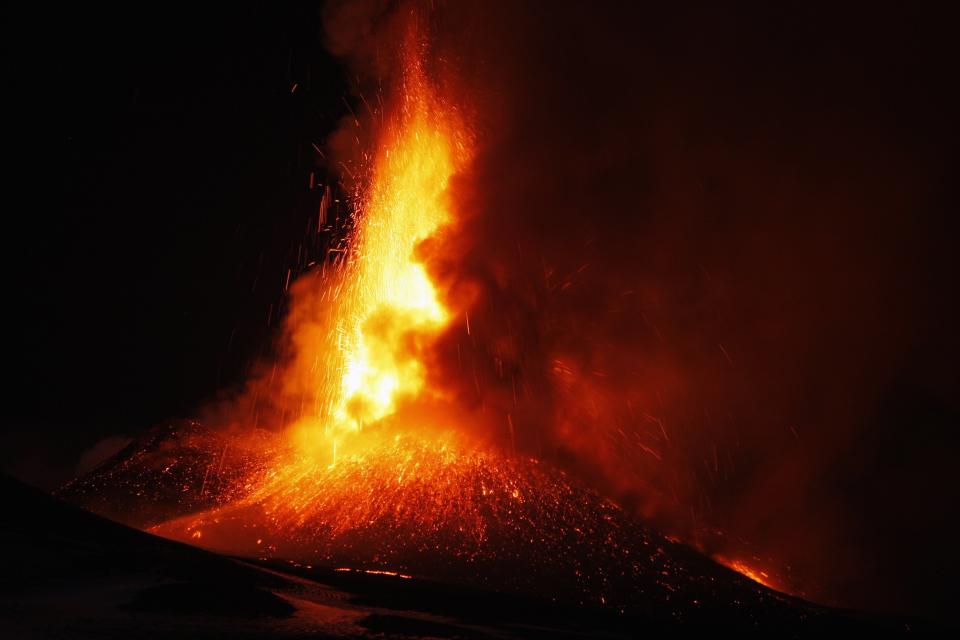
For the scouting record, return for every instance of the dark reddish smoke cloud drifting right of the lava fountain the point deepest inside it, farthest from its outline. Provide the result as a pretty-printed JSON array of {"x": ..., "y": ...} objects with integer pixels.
[{"x": 714, "y": 265}]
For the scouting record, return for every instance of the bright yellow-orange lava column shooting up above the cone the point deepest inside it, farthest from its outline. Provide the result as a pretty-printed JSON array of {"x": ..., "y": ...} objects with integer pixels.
[{"x": 364, "y": 356}]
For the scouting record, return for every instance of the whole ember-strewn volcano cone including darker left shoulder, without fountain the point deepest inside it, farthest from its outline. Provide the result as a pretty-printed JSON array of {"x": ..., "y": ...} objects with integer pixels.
[{"x": 418, "y": 511}]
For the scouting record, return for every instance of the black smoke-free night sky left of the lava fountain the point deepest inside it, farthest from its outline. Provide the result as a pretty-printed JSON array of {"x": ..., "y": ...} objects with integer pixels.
[{"x": 157, "y": 193}]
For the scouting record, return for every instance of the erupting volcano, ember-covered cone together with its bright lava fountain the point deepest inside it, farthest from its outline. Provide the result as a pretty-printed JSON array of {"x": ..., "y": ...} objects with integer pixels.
[{"x": 377, "y": 466}]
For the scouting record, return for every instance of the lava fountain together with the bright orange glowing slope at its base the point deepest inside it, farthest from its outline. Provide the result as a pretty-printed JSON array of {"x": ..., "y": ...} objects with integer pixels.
[{"x": 369, "y": 425}]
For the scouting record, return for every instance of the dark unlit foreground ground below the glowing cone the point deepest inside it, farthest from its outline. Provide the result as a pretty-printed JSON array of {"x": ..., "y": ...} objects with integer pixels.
[{"x": 76, "y": 574}]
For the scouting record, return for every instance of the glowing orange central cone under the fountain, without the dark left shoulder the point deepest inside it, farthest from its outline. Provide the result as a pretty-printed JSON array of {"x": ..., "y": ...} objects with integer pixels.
[{"x": 439, "y": 508}]
